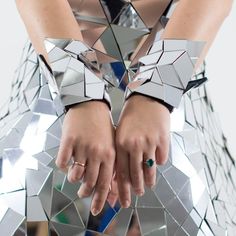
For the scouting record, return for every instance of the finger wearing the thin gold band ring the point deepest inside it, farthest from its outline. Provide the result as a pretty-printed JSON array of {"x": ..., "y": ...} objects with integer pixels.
[{"x": 76, "y": 171}]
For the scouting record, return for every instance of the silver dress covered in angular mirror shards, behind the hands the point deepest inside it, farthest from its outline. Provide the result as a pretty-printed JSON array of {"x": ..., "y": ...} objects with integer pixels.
[{"x": 195, "y": 192}]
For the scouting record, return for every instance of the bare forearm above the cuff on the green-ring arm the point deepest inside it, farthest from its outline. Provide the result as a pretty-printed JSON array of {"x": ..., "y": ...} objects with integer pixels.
[{"x": 197, "y": 20}]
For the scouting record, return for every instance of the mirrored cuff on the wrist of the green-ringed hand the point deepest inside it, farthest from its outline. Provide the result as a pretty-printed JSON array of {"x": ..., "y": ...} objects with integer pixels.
[{"x": 165, "y": 72}]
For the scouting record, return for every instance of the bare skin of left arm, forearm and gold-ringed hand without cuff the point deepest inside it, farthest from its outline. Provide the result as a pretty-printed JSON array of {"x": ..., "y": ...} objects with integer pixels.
[{"x": 92, "y": 141}]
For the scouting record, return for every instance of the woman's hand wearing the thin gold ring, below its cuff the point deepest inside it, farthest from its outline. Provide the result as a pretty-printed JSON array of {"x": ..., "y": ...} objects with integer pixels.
[{"x": 88, "y": 136}]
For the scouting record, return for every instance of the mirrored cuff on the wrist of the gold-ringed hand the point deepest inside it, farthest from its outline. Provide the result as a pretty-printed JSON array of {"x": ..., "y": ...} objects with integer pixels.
[{"x": 73, "y": 73}]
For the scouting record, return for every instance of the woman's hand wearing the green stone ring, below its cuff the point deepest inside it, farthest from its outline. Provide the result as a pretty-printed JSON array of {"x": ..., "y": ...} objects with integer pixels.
[{"x": 142, "y": 133}]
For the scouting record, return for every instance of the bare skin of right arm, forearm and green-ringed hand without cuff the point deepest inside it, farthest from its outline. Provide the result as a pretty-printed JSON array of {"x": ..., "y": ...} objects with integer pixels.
[{"x": 192, "y": 20}]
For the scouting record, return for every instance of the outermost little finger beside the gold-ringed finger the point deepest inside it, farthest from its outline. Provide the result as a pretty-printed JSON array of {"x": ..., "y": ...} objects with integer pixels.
[{"x": 64, "y": 153}]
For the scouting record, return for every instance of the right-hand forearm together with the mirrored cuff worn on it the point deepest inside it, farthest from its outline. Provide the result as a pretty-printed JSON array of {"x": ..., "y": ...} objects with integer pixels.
[{"x": 174, "y": 56}]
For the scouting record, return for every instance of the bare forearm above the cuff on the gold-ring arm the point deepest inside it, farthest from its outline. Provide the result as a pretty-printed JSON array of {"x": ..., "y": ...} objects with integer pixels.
[{"x": 45, "y": 18}]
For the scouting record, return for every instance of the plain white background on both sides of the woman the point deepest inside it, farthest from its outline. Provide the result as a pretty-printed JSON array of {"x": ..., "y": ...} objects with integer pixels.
[{"x": 221, "y": 64}]
